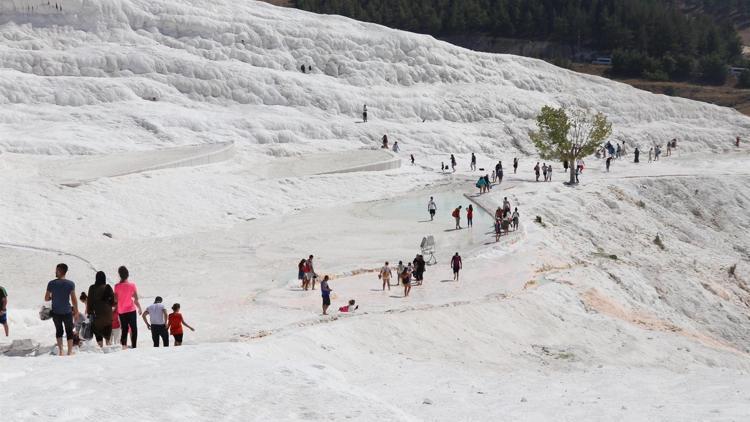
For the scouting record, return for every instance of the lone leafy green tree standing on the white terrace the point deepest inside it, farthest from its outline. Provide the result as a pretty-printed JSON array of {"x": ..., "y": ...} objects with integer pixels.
[{"x": 569, "y": 135}]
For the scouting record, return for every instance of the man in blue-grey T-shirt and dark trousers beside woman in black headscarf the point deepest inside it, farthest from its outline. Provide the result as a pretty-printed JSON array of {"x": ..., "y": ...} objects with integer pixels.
[{"x": 62, "y": 292}]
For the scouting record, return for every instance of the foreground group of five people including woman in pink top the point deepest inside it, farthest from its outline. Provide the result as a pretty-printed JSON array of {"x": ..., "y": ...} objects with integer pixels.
[{"x": 110, "y": 313}]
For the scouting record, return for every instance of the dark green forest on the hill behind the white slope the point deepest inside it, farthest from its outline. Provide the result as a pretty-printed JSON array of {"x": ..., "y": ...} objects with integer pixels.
[{"x": 652, "y": 40}]
